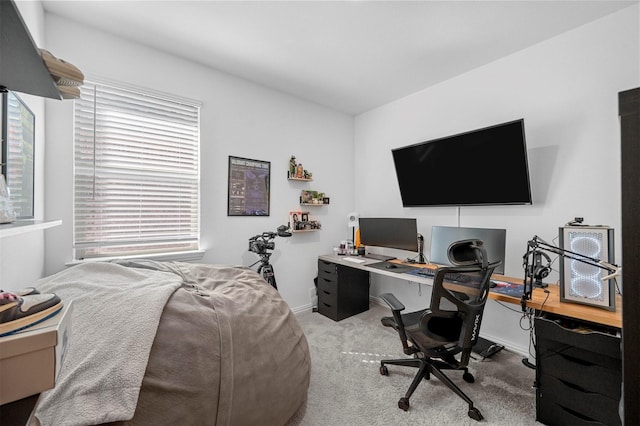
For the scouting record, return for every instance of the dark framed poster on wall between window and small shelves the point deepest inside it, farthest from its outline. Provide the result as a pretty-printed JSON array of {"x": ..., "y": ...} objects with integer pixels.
[{"x": 249, "y": 187}]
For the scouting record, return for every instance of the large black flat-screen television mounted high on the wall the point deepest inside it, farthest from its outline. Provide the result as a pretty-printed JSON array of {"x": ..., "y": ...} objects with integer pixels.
[{"x": 482, "y": 167}]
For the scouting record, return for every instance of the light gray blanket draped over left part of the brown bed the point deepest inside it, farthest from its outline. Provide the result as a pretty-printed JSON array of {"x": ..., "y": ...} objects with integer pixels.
[{"x": 114, "y": 322}]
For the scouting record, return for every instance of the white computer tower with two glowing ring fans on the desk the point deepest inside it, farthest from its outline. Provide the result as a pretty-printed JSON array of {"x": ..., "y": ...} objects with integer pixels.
[{"x": 582, "y": 282}]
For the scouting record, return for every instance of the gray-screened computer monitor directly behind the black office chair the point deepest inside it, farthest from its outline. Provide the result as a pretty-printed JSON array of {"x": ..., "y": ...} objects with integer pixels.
[{"x": 494, "y": 243}]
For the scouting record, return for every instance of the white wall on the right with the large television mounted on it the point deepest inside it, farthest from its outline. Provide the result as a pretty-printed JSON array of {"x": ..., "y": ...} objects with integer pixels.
[{"x": 566, "y": 89}]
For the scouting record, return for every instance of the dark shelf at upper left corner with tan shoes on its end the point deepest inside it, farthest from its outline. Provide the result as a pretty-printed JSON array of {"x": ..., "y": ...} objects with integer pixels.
[{"x": 21, "y": 66}]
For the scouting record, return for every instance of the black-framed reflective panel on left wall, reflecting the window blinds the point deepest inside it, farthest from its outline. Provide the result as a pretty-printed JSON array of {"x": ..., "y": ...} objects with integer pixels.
[{"x": 18, "y": 142}]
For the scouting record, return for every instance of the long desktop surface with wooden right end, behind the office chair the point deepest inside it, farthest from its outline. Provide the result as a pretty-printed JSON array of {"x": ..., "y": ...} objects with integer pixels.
[{"x": 547, "y": 301}]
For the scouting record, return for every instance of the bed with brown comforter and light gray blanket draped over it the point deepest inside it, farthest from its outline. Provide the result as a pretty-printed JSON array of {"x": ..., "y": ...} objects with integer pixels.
[{"x": 175, "y": 343}]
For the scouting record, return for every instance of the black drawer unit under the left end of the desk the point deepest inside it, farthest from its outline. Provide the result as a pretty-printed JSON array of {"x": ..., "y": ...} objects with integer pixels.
[{"x": 342, "y": 291}]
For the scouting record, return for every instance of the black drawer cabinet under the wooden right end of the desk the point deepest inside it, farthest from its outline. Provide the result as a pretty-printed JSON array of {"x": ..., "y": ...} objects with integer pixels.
[{"x": 578, "y": 373}]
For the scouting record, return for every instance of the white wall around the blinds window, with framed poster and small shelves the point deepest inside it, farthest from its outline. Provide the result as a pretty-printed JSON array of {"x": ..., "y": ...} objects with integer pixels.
[{"x": 237, "y": 118}]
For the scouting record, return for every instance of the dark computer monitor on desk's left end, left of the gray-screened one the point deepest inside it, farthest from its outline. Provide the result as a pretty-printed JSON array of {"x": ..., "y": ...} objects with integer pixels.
[{"x": 398, "y": 233}]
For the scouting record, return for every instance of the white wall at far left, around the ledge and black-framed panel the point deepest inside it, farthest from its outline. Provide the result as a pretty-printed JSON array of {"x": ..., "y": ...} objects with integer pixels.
[{"x": 22, "y": 256}]
